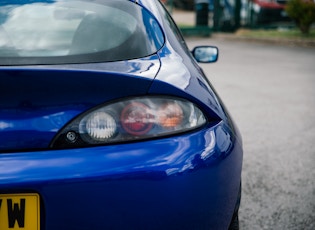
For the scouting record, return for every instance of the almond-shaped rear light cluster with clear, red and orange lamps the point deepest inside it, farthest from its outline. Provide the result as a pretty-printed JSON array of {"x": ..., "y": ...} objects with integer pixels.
[{"x": 129, "y": 120}]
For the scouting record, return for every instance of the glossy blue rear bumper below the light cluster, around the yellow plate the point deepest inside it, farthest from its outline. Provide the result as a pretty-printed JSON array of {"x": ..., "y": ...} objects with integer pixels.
[{"x": 185, "y": 182}]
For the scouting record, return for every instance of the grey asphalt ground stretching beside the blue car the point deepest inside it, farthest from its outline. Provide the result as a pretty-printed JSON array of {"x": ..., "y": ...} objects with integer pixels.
[{"x": 270, "y": 92}]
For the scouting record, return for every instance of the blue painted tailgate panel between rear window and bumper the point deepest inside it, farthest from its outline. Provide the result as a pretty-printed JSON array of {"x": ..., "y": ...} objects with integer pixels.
[{"x": 31, "y": 116}]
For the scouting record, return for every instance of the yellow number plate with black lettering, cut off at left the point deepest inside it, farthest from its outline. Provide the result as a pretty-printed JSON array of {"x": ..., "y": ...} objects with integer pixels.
[{"x": 19, "y": 211}]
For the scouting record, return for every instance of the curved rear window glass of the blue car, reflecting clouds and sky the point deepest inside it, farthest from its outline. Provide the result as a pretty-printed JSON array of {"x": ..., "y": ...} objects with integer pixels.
[{"x": 61, "y": 31}]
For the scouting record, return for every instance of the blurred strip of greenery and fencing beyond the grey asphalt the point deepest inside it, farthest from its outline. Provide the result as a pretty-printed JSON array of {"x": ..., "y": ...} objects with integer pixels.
[{"x": 287, "y": 19}]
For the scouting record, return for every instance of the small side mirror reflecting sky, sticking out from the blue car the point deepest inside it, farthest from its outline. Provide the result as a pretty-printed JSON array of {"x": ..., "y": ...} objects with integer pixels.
[{"x": 205, "y": 54}]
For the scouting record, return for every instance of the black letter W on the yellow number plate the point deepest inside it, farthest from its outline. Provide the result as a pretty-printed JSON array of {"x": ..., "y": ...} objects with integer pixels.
[{"x": 16, "y": 213}]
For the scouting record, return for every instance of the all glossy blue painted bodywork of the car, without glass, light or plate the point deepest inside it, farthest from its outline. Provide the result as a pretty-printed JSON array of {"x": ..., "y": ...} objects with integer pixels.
[{"x": 186, "y": 181}]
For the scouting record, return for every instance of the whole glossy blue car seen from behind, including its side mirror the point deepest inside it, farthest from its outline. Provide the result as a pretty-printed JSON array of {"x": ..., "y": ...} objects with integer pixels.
[{"x": 108, "y": 122}]
